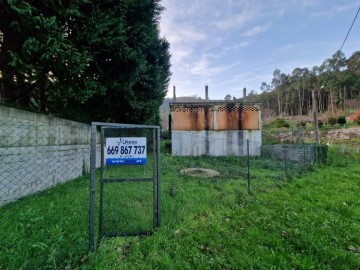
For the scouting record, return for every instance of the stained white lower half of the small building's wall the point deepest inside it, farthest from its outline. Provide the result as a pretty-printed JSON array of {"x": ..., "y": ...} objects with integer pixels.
[{"x": 216, "y": 143}]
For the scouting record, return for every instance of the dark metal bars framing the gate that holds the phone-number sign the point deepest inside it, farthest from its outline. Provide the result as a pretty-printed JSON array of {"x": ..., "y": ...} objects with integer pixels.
[{"x": 97, "y": 138}]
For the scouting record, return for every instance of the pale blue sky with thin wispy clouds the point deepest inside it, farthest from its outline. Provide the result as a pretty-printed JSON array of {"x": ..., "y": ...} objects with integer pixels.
[{"x": 232, "y": 44}]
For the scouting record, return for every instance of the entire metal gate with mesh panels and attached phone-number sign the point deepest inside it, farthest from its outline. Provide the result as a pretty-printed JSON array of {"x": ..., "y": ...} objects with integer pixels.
[{"x": 128, "y": 180}]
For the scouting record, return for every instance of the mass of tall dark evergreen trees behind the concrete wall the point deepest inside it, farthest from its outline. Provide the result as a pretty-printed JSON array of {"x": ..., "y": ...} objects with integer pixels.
[{"x": 85, "y": 60}]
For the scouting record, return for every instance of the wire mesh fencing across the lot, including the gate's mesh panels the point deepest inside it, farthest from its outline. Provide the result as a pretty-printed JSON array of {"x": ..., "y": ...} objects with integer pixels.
[{"x": 36, "y": 157}]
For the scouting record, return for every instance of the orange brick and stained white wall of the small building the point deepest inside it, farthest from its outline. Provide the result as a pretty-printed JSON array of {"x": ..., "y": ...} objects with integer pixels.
[{"x": 215, "y": 129}]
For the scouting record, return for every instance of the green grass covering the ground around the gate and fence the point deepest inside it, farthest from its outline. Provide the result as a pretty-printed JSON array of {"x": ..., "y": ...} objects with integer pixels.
[{"x": 311, "y": 223}]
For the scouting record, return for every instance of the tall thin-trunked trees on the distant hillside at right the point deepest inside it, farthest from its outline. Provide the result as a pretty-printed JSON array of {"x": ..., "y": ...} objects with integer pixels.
[{"x": 336, "y": 83}]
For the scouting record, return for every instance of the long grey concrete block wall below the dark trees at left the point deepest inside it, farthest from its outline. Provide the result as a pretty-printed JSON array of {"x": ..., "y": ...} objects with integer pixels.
[{"x": 39, "y": 151}]
